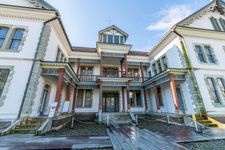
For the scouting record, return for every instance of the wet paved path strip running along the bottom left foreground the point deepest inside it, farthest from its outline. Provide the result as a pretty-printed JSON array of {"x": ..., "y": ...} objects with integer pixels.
[{"x": 28, "y": 141}]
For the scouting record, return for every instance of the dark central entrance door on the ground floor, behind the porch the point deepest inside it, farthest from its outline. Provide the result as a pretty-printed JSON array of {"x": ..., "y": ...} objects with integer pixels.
[{"x": 110, "y": 102}]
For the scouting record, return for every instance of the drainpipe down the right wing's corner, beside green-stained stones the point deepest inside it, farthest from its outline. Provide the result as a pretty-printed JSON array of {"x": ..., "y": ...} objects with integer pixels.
[{"x": 190, "y": 68}]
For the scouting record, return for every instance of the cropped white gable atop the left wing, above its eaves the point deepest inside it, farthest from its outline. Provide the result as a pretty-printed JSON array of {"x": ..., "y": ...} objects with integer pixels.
[{"x": 40, "y": 4}]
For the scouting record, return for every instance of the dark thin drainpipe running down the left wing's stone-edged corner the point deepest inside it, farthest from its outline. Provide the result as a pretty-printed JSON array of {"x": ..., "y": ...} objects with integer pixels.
[{"x": 33, "y": 63}]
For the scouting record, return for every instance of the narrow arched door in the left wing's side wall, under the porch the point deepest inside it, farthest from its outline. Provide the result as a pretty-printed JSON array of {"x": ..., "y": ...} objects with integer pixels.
[{"x": 44, "y": 110}]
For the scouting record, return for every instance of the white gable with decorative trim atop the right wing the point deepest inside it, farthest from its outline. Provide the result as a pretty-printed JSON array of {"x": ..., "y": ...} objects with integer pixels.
[{"x": 203, "y": 17}]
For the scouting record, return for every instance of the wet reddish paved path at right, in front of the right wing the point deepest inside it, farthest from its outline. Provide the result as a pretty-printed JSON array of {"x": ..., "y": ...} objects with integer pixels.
[{"x": 190, "y": 136}]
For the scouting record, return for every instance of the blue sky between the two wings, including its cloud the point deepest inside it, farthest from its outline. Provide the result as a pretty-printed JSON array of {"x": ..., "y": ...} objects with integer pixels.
[{"x": 146, "y": 21}]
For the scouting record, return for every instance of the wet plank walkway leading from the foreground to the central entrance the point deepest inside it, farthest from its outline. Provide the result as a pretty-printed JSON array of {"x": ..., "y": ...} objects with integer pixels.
[{"x": 124, "y": 137}]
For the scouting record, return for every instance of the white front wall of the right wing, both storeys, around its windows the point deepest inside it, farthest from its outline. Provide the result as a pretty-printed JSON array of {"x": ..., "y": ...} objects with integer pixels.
[{"x": 205, "y": 69}]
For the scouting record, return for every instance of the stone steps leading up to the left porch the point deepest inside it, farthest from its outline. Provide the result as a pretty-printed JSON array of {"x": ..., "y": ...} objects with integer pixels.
[{"x": 28, "y": 126}]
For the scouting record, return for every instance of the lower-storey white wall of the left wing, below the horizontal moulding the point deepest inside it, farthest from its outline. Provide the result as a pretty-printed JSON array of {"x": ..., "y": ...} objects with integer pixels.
[{"x": 12, "y": 102}]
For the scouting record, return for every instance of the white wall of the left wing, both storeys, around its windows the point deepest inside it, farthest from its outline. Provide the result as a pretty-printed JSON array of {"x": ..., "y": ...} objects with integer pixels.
[{"x": 21, "y": 61}]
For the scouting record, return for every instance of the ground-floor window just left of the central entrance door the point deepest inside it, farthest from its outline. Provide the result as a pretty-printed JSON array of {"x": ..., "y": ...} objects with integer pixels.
[{"x": 84, "y": 98}]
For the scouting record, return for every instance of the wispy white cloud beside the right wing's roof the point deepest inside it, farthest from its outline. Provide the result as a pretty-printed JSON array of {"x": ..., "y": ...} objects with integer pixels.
[{"x": 169, "y": 17}]
